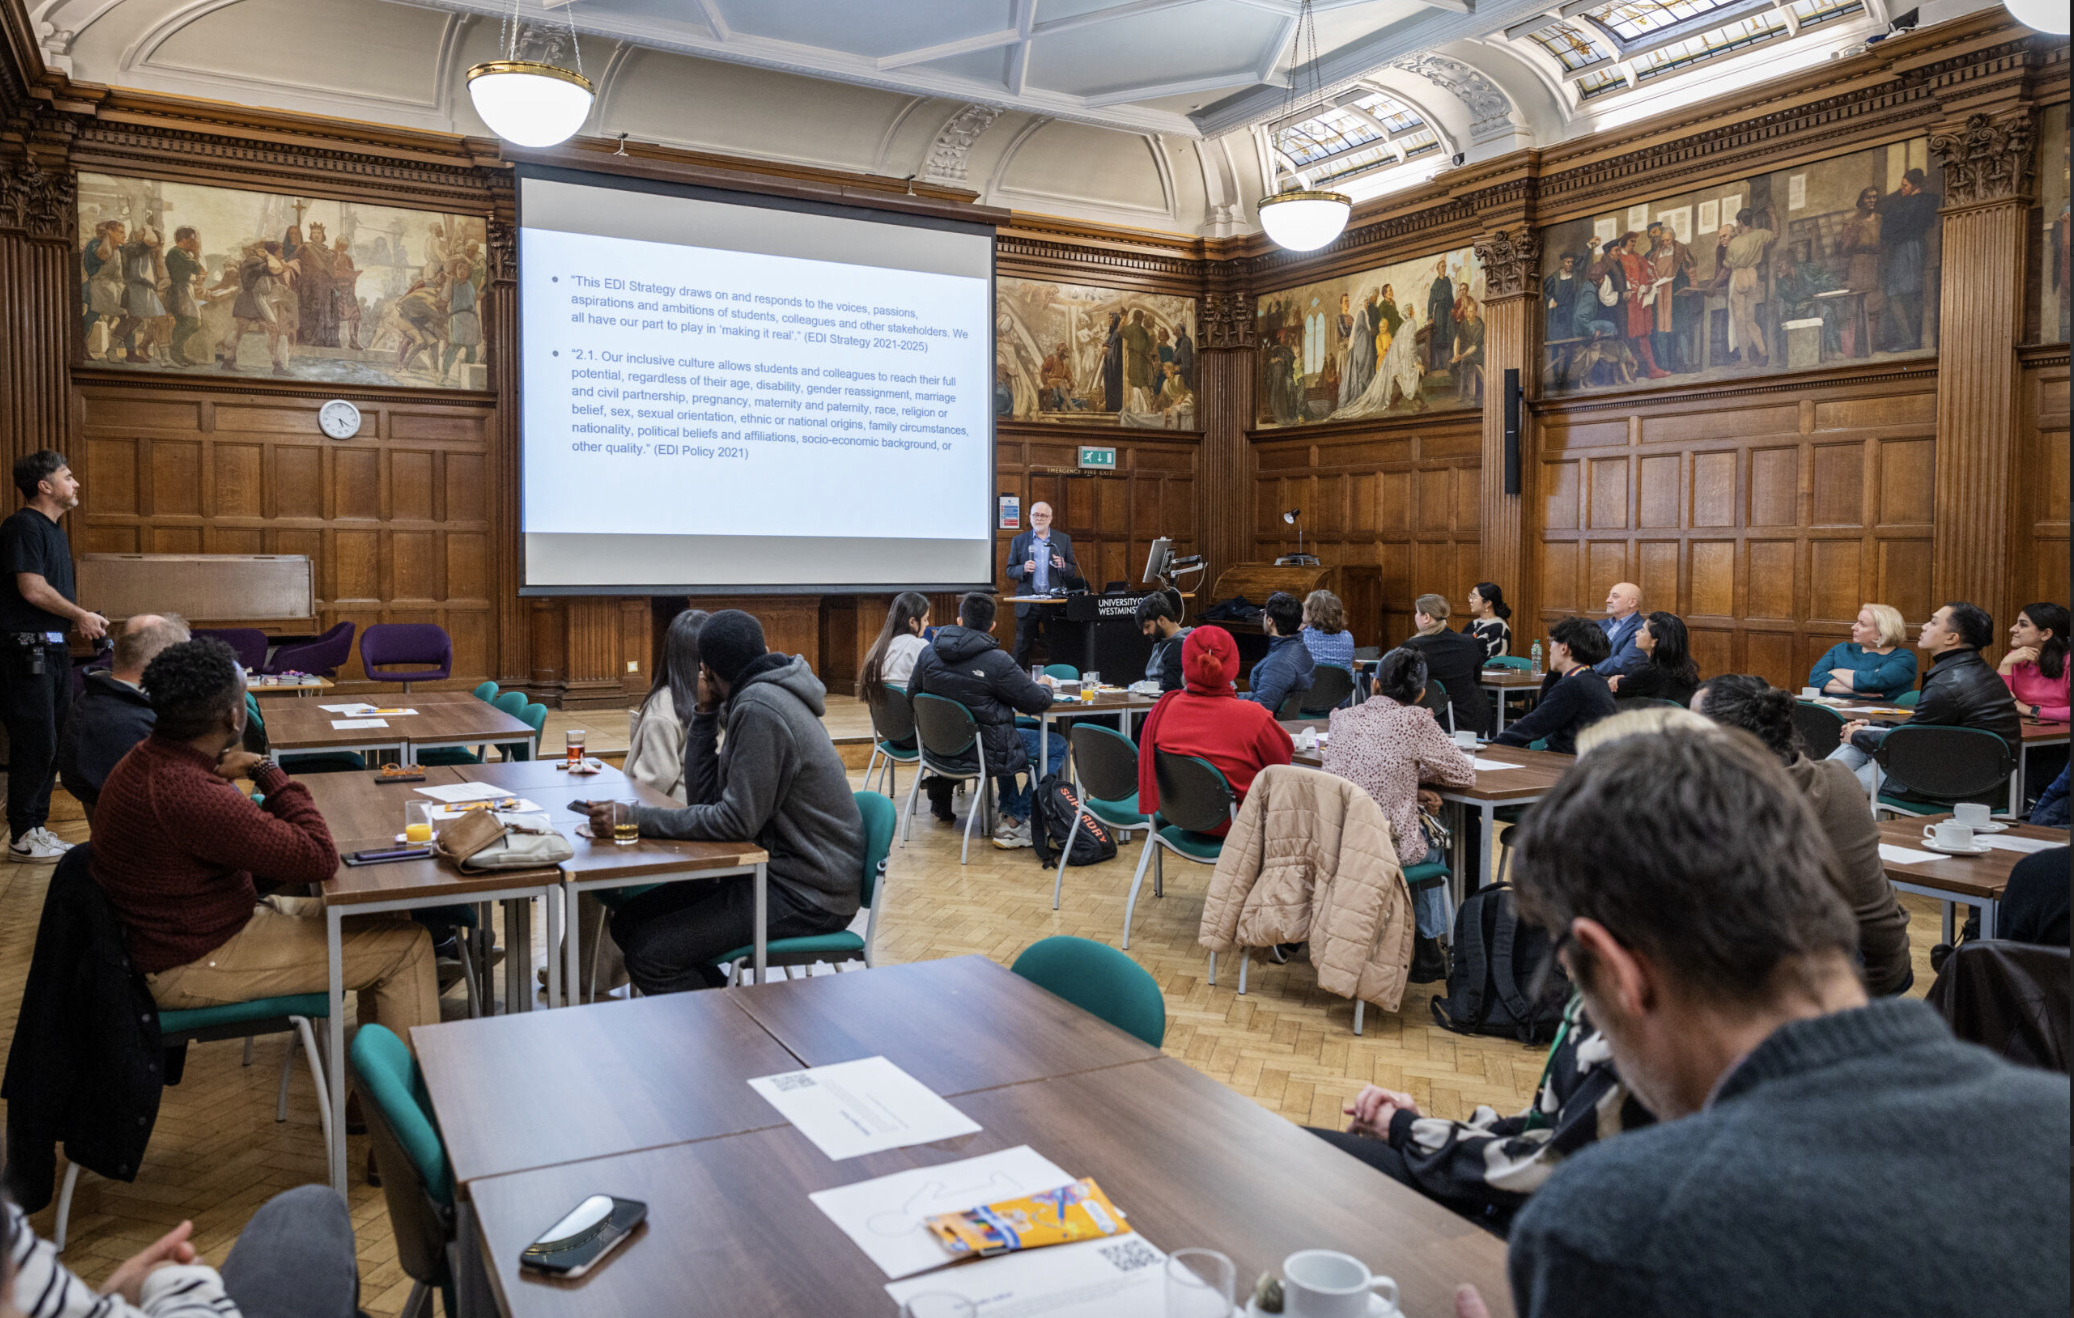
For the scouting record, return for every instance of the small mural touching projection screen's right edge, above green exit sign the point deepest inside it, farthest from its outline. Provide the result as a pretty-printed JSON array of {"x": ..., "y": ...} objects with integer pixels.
[{"x": 1094, "y": 356}]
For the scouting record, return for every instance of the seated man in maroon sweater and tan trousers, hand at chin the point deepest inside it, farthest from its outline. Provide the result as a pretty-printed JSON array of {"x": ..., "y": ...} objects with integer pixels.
[{"x": 177, "y": 848}]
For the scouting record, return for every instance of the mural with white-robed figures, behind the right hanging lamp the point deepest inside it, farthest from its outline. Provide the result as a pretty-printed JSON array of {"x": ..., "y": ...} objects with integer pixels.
[{"x": 1395, "y": 341}]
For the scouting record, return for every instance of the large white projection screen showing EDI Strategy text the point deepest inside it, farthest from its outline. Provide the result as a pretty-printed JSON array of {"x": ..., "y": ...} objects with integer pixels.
[{"x": 731, "y": 393}]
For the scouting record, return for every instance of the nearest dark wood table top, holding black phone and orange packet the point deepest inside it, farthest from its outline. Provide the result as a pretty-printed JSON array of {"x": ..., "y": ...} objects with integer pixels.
[{"x": 731, "y": 1230}]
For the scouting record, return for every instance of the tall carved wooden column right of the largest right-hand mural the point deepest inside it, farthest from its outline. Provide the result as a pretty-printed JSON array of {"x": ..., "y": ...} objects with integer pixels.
[{"x": 1988, "y": 173}]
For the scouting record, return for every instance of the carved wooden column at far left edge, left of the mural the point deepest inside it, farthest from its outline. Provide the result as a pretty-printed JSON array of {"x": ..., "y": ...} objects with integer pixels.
[{"x": 43, "y": 302}]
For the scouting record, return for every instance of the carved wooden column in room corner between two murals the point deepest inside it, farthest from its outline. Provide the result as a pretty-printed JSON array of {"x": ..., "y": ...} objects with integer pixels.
[{"x": 1225, "y": 483}]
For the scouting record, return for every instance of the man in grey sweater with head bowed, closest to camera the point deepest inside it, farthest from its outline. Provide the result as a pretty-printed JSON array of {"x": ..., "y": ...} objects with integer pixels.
[{"x": 1818, "y": 1153}]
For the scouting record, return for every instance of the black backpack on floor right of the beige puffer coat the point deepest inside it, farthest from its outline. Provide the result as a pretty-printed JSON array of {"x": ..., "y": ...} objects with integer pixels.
[{"x": 1496, "y": 964}]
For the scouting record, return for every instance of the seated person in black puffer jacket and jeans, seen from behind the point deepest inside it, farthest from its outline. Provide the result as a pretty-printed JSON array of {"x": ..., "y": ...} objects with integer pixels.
[{"x": 968, "y": 665}]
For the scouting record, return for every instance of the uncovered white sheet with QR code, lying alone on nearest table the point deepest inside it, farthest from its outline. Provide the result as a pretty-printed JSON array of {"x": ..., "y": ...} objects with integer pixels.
[{"x": 864, "y": 1107}]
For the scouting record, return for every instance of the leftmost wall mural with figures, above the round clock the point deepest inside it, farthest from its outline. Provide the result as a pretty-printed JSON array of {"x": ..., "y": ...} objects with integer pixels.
[{"x": 213, "y": 281}]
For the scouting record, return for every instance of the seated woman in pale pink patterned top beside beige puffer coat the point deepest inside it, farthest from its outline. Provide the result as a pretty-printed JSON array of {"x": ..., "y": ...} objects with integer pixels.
[{"x": 1391, "y": 746}]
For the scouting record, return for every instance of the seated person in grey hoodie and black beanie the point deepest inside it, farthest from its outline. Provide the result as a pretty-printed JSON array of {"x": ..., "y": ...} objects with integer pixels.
[{"x": 779, "y": 784}]
